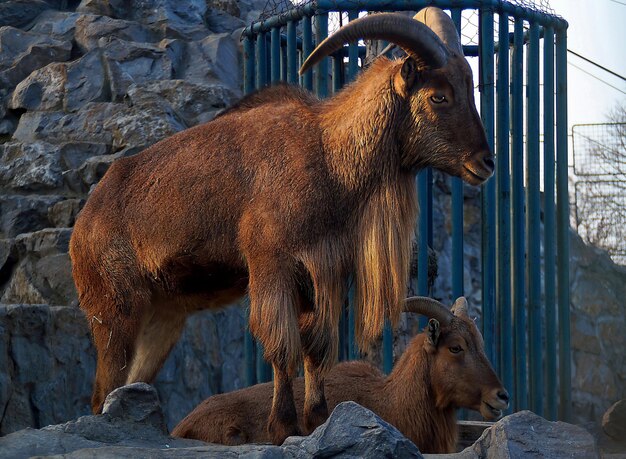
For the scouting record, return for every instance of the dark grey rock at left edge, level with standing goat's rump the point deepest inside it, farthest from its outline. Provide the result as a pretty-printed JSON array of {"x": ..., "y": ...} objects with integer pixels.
[{"x": 22, "y": 214}]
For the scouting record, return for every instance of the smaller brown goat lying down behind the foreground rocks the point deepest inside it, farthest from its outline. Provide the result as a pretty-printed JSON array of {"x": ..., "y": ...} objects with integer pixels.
[{"x": 442, "y": 369}]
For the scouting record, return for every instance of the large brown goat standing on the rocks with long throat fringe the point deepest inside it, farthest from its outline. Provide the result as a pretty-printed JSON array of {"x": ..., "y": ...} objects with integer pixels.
[{"x": 283, "y": 196}]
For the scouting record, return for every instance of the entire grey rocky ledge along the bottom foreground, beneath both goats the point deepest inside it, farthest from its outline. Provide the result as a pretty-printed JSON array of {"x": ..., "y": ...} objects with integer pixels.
[{"x": 132, "y": 425}]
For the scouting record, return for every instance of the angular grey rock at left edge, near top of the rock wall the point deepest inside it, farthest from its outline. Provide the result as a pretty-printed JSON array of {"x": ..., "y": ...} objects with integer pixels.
[{"x": 22, "y": 52}]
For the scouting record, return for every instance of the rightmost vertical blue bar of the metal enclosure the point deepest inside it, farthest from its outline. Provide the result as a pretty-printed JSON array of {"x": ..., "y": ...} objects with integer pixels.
[{"x": 562, "y": 228}]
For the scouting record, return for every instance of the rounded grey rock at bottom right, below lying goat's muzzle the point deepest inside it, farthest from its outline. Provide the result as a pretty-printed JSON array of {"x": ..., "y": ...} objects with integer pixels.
[{"x": 524, "y": 435}]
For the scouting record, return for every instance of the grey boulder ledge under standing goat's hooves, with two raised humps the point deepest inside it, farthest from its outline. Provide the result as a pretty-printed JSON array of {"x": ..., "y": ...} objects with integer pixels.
[{"x": 132, "y": 426}]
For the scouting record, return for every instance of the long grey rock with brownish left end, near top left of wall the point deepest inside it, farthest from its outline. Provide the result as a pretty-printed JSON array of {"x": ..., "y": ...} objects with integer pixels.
[{"x": 90, "y": 28}]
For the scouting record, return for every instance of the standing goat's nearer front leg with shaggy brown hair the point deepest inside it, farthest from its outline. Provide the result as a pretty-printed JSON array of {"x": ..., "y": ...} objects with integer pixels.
[{"x": 273, "y": 321}]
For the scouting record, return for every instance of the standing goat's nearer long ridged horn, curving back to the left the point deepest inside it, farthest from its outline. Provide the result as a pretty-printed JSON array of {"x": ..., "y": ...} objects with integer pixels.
[{"x": 412, "y": 36}]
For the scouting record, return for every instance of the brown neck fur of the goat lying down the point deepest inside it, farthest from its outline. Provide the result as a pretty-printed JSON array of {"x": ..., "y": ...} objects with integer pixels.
[{"x": 410, "y": 388}]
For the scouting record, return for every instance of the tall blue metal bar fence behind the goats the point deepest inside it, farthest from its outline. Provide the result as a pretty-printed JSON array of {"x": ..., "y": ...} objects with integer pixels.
[{"x": 525, "y": 296}]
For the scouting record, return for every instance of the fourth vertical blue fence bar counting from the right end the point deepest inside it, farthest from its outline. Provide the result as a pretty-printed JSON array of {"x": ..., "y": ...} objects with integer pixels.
[{"x": 517, "y": 197}]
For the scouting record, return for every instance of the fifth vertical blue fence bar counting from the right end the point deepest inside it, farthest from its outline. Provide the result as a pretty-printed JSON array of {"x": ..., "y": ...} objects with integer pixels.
[{"x": 503, "y": 192}]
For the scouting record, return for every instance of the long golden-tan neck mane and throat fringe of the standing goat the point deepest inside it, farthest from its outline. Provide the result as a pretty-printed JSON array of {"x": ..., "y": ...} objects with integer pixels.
[{"x": 363, "y": 153}]
